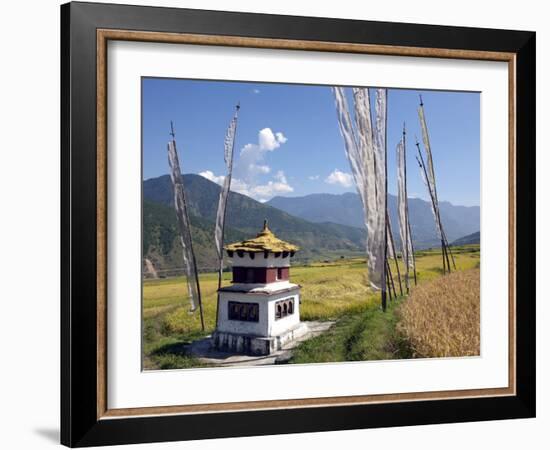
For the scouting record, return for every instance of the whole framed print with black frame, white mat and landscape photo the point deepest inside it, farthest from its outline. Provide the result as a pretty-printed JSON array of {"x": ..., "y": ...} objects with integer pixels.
[{"x": 276, "y": 224}]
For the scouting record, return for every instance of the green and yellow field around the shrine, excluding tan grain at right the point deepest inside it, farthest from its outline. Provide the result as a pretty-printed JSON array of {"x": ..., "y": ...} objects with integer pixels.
[{"x": 331, "y": 290}]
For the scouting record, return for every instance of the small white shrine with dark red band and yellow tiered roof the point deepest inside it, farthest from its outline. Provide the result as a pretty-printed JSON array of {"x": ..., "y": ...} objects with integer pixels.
[{"x": 260, "y": 312}]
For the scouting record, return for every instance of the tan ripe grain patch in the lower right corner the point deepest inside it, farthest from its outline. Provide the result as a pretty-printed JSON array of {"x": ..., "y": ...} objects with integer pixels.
[{"x": 441, "y": 318}]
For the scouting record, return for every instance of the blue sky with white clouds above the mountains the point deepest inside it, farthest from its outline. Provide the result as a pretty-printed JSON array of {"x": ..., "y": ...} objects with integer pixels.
[{"x": 288, "y": 142}]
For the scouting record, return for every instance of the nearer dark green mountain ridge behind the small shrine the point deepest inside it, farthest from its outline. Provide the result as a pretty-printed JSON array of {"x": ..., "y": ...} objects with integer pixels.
[{"x": 244, "y": 219}]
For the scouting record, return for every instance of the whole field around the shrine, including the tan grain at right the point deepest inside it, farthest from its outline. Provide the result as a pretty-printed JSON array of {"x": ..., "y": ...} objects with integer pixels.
[{"x": 337, "y": 291}]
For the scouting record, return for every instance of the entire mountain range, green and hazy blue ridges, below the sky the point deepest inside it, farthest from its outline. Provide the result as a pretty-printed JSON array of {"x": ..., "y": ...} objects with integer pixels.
[{"x": 321, "y": 224}]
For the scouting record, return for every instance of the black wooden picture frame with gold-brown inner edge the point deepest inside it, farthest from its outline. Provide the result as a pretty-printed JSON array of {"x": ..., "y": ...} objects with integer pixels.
[{"x": 85, "y": 417}]
